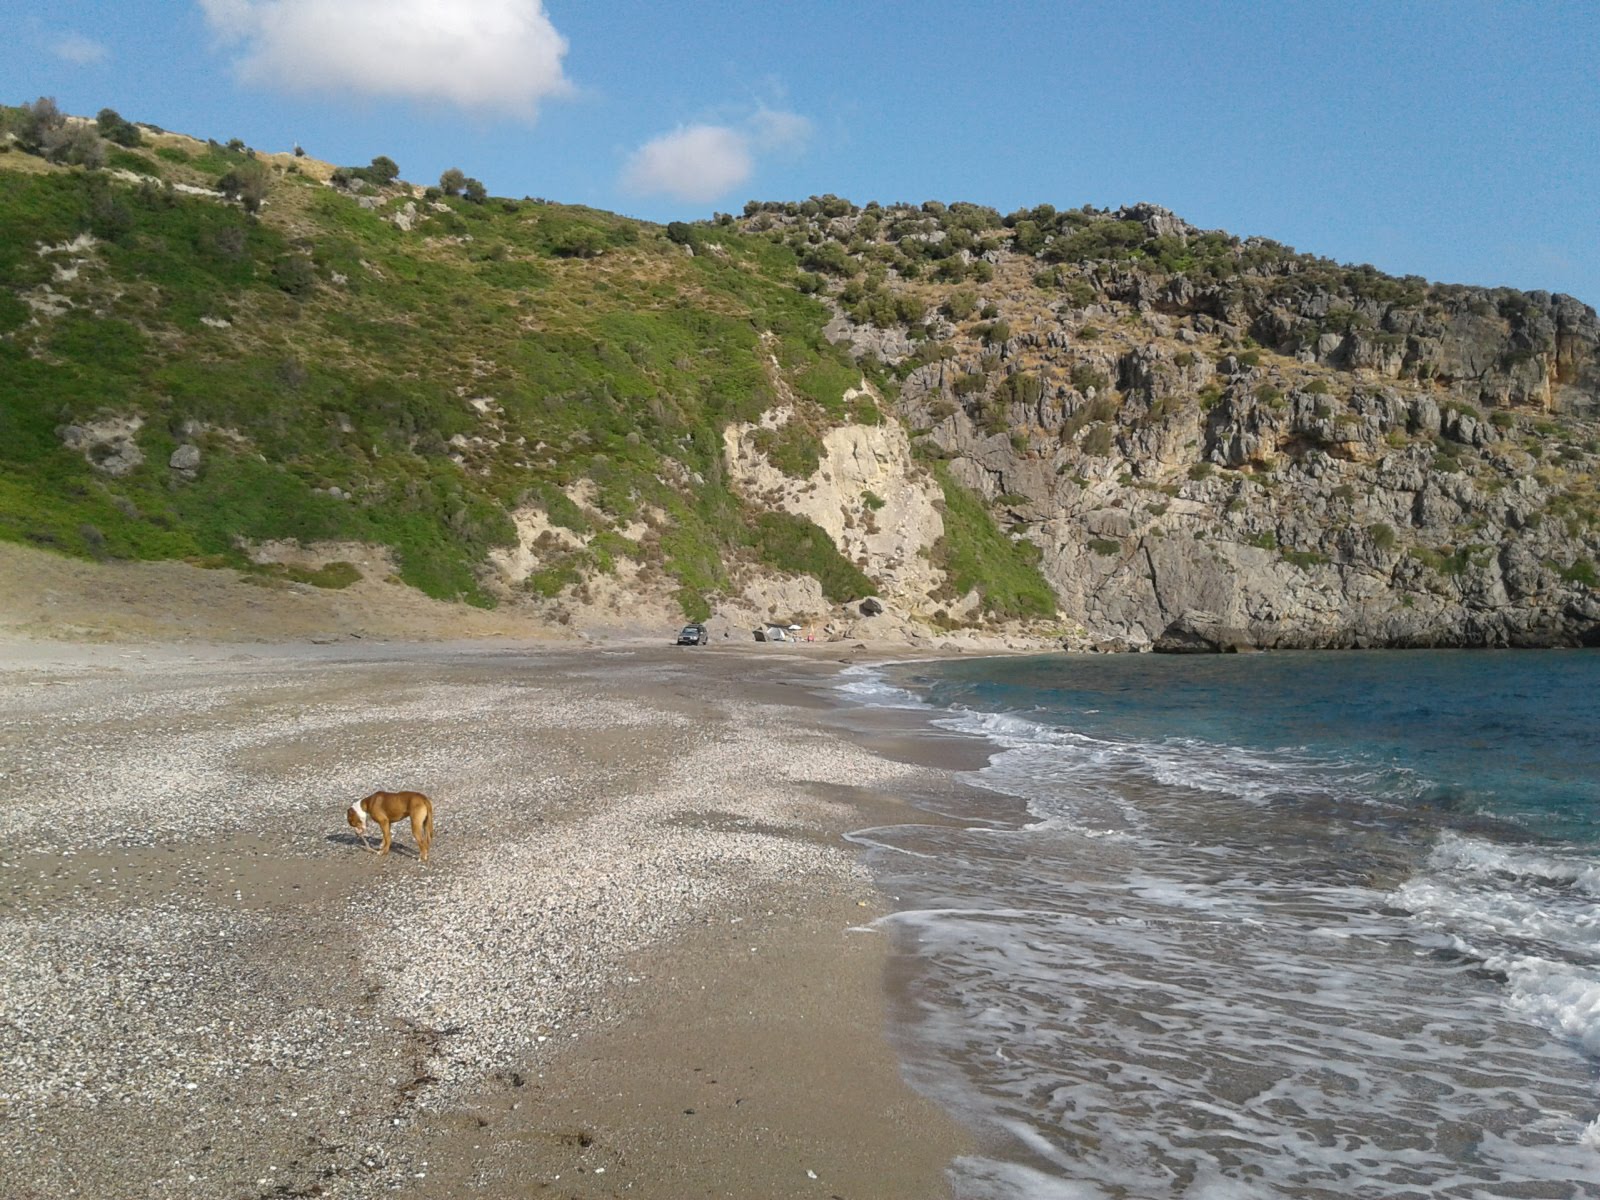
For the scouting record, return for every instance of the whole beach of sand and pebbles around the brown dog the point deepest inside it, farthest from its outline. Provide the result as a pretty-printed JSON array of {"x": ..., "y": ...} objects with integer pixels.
[{"x": 639, "y": 961}]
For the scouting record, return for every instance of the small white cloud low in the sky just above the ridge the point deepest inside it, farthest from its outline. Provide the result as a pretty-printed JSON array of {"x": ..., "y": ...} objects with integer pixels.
[{"x": 703, "y": 162}]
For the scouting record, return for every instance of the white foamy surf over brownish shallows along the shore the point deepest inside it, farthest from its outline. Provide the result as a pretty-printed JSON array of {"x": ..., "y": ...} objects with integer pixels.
[{"x": 1193, "y": 978}]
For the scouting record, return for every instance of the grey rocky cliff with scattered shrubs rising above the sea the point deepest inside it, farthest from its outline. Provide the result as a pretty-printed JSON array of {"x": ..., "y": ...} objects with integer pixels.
[{"x": 1313, "y": 455}]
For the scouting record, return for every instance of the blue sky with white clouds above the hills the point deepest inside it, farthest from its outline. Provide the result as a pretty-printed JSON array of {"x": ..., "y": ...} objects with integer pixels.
[{"x": 1458, "y": 142}]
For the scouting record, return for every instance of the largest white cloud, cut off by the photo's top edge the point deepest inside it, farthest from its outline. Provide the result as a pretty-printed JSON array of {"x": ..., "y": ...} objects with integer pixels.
[{"x": 498, "y": 55}]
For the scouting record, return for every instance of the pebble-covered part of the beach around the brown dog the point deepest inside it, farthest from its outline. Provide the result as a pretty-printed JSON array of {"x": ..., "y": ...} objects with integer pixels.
[{"x": 210, "y": 990}]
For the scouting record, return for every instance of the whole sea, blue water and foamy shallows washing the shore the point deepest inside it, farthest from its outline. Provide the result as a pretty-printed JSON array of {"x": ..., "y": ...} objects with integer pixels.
[{"x": 1262, "y": 926}]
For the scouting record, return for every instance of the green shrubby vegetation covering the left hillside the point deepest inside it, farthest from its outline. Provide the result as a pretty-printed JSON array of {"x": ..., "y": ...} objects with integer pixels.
[{"x": 346, "y": 378}]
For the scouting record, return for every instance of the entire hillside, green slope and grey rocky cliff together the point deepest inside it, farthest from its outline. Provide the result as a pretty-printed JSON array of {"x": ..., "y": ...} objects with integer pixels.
[{"x": 1074, "y": 423}]
